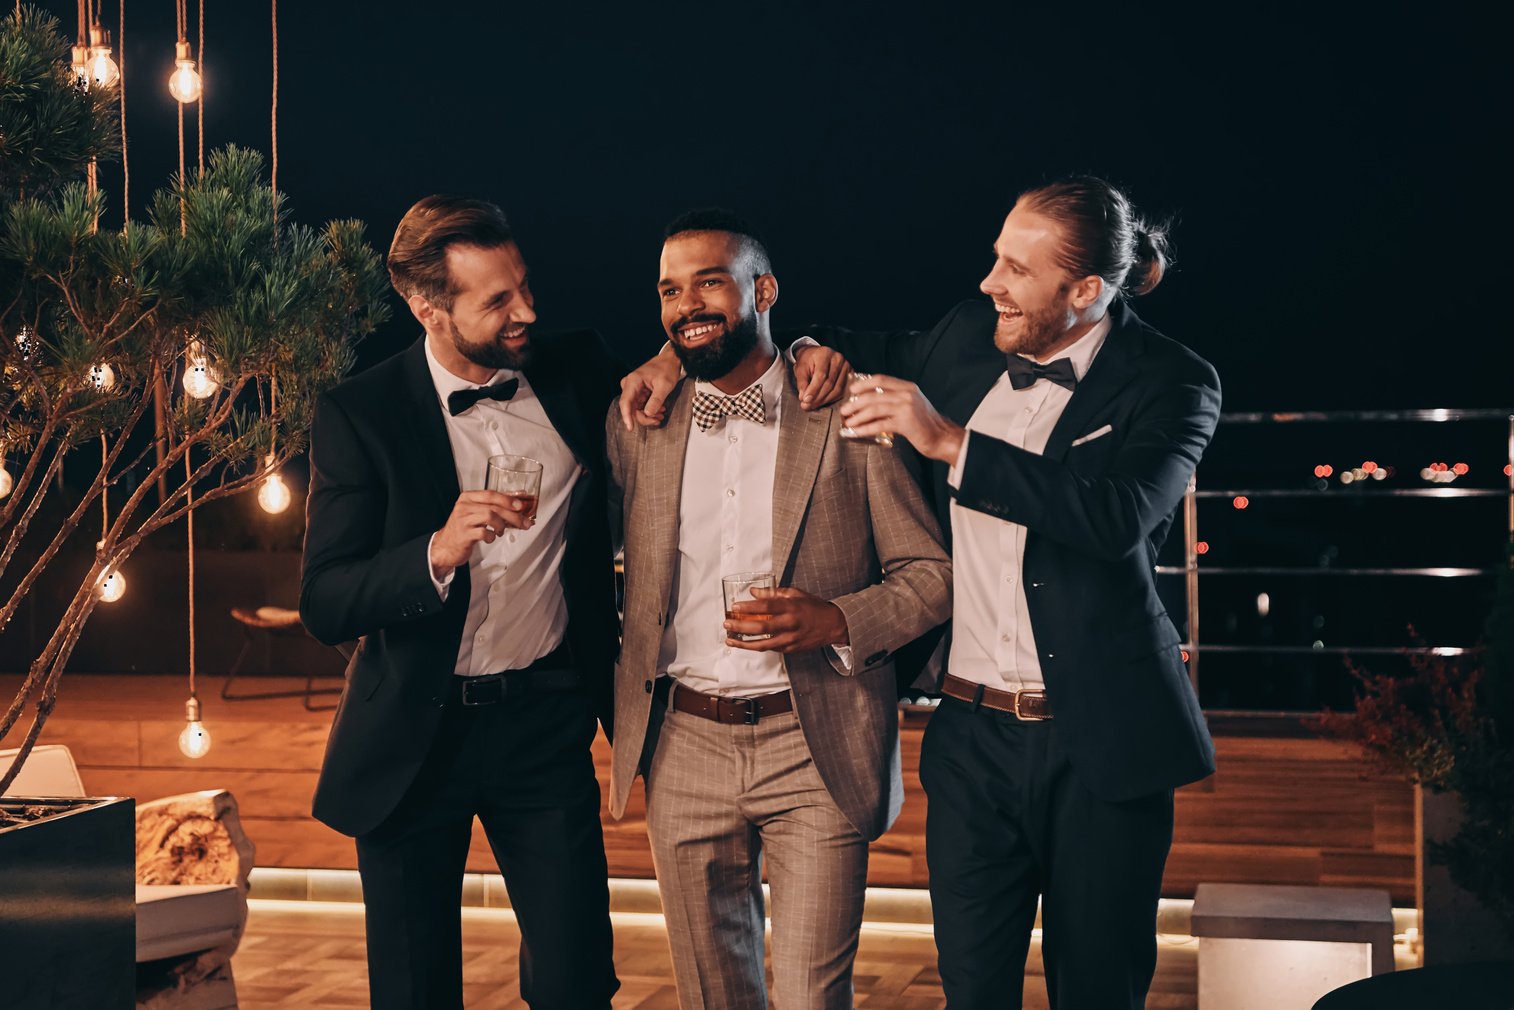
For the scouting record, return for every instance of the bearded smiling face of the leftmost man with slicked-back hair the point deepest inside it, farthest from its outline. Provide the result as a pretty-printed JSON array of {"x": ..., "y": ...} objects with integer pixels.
[{"x": 493, "y": 308}]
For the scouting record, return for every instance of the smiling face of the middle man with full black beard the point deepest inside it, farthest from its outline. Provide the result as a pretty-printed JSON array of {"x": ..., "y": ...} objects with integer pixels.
[{"x": 714, "y": 304}]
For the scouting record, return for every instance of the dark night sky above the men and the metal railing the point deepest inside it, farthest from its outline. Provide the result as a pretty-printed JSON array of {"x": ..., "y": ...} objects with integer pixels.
[{"x": 1336, "y": 170}]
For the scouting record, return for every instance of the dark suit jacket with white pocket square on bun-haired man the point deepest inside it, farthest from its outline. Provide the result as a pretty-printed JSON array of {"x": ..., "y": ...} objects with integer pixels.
[{"x": 1095, "y": 517}]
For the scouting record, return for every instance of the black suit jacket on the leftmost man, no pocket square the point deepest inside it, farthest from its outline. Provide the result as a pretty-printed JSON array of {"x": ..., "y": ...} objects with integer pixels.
[{"x": 382, "y": 482}]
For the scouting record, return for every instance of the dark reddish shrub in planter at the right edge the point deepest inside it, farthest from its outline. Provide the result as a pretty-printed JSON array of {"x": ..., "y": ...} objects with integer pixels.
[{"x": 1448, "y": 728}]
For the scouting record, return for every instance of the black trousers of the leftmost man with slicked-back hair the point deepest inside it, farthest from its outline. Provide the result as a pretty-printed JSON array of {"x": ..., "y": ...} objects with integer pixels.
[{"x": 525, "y": 770}]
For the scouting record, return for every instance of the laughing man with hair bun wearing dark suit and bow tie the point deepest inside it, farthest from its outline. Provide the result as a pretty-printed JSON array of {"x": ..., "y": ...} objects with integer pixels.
[{"x": 1064, "y": 432}]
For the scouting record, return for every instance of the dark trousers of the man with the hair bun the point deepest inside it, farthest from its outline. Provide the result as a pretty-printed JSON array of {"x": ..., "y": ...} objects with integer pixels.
[{"x": 1011, "y": 821}]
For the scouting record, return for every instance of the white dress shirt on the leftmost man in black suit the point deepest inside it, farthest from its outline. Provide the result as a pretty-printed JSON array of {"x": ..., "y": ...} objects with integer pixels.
[{"x": 517, "y": 611}]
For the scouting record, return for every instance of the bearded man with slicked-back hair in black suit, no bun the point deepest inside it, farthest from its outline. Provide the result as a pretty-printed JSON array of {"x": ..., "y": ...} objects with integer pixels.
[{"x": 487, "y": 622}]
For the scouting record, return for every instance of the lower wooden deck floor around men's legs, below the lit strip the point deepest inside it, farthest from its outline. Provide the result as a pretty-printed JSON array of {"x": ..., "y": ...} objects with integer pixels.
[{"x": 310, "y": 956}]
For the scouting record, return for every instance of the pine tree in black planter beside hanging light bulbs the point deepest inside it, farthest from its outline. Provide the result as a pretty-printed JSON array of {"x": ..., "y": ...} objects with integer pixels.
[{"x": 169, "y": 363}]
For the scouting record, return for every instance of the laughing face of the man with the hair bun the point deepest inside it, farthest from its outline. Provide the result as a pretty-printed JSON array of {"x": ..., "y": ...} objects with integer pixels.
[{"x": 1042, "y": 310}]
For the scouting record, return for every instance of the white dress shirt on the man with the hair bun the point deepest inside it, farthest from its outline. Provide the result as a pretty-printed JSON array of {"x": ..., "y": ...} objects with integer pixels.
[{"x": 992, "y": 638}]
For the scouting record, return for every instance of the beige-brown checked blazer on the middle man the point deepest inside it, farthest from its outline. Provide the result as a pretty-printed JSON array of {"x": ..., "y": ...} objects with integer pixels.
[{"x": 849, "y": 526}]
